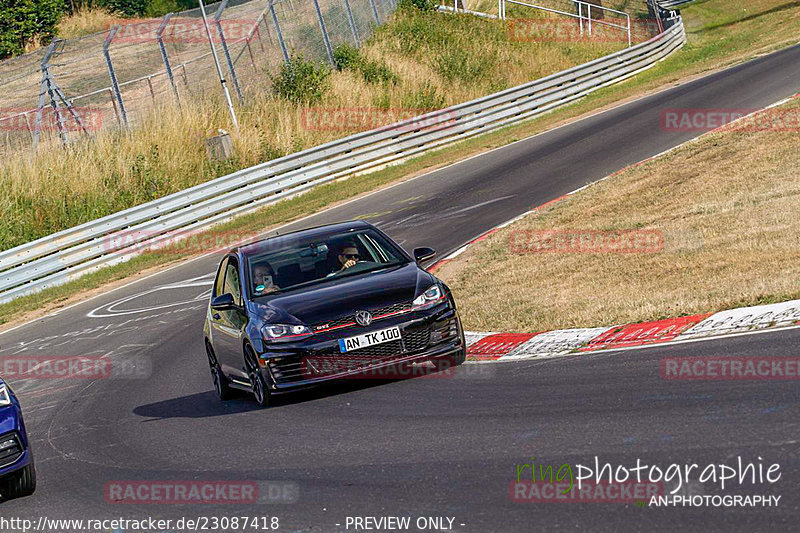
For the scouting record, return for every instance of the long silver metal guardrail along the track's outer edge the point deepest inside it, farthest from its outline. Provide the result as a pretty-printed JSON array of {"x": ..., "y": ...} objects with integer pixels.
[{"x": 71, "y": 253}]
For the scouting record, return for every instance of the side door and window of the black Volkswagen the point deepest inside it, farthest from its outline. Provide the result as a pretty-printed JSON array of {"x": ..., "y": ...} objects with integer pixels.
[{"x": 229, "y": 324}]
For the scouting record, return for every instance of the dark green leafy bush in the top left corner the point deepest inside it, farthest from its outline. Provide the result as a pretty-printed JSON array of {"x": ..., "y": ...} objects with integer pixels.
[{"x": 24, "y": 21}]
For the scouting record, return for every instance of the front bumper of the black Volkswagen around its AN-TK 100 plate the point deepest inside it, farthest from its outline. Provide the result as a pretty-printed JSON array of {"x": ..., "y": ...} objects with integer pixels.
[{"x": 426, "y": 334}]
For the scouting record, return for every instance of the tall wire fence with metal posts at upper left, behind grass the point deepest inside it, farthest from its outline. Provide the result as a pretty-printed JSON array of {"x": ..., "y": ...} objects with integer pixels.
[{"x": 117, "y": 77}]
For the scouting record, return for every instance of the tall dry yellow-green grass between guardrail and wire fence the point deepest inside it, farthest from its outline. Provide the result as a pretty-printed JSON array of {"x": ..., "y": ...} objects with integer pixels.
[{"x": 164, "y": 153}]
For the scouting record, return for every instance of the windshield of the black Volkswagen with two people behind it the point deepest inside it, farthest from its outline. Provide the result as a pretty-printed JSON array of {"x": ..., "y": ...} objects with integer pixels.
[{"x": 288, "y": 262}]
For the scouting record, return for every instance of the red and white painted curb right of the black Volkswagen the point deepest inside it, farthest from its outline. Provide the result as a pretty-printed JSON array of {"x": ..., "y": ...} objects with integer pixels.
[{"x": 491, "y": 346}]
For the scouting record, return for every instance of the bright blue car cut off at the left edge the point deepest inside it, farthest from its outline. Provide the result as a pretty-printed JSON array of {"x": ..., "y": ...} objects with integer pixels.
[{"x": 17, "y": 473}]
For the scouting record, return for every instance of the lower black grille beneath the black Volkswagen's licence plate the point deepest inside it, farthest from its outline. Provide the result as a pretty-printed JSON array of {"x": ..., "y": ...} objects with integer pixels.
[{"x": 295, "y": 368}]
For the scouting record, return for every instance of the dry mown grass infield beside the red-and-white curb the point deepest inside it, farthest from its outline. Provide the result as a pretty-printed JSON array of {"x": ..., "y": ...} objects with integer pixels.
[{"x": 726, "y": 206}]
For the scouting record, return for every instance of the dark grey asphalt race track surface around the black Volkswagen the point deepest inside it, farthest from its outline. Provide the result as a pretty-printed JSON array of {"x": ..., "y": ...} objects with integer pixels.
[{"x": 420, "y": 447}]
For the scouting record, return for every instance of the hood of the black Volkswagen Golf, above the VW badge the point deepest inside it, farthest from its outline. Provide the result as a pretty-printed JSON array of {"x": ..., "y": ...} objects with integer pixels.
[{"x": 339, "y": 297}]
